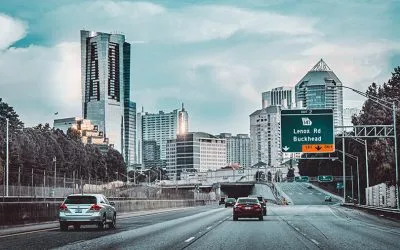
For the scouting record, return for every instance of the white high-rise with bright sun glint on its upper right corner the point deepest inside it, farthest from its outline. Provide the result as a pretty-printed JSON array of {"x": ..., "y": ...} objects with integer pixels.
[{"x": 154, "y": 132}]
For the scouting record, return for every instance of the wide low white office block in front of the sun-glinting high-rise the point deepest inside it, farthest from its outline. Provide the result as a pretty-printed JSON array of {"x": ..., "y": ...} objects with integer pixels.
[{"x": 195, "y": 151}]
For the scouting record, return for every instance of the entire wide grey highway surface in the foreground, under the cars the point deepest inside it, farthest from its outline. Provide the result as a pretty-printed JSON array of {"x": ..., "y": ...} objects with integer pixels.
[{"x": 212, "y": 227}]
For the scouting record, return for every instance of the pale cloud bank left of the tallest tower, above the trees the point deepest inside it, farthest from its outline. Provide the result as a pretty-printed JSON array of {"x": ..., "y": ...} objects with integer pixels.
[{"x": 39, "y": 81}]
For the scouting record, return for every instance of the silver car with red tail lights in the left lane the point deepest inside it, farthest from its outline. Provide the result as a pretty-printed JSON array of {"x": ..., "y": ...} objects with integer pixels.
[{"x": 87, "y": 209}]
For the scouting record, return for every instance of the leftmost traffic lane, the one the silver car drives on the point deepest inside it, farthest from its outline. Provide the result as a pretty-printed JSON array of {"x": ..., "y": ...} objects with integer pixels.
[{"x": 52, "y": 238}]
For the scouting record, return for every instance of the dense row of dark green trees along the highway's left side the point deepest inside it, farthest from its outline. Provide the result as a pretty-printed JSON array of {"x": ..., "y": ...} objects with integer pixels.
[{"x": 35, "y": 148}]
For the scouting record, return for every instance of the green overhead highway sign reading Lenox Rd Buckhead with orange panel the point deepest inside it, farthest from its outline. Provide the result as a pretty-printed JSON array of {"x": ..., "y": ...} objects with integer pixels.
[{"x": 307, "y": 131}]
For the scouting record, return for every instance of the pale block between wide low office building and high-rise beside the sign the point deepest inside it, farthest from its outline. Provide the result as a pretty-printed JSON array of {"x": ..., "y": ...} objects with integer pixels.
[{"x": 237, "y": 149}]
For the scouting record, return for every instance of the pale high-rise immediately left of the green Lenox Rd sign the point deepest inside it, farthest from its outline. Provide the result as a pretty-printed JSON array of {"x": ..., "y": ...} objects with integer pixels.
[{"x": 265, "y": 136}]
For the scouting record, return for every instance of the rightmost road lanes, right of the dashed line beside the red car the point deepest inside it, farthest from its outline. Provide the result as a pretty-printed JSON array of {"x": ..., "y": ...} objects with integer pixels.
[{"x": 333, "y": 227}]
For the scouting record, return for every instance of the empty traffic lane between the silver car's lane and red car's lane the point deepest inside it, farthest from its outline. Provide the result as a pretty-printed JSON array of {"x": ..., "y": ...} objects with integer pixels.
[{"x": 172, "y": 234}]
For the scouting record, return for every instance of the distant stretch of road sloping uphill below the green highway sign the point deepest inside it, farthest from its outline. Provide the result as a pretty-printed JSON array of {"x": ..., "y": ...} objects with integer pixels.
[{"x": 301, "y": 194}]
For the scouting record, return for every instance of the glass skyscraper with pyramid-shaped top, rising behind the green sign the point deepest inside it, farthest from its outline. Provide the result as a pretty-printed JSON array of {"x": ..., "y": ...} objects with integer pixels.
[{"x": 319, "y": 89}]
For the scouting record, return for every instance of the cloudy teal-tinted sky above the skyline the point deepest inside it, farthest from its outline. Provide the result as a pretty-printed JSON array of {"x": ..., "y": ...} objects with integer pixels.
[{"x": 216, "y": 57}]
